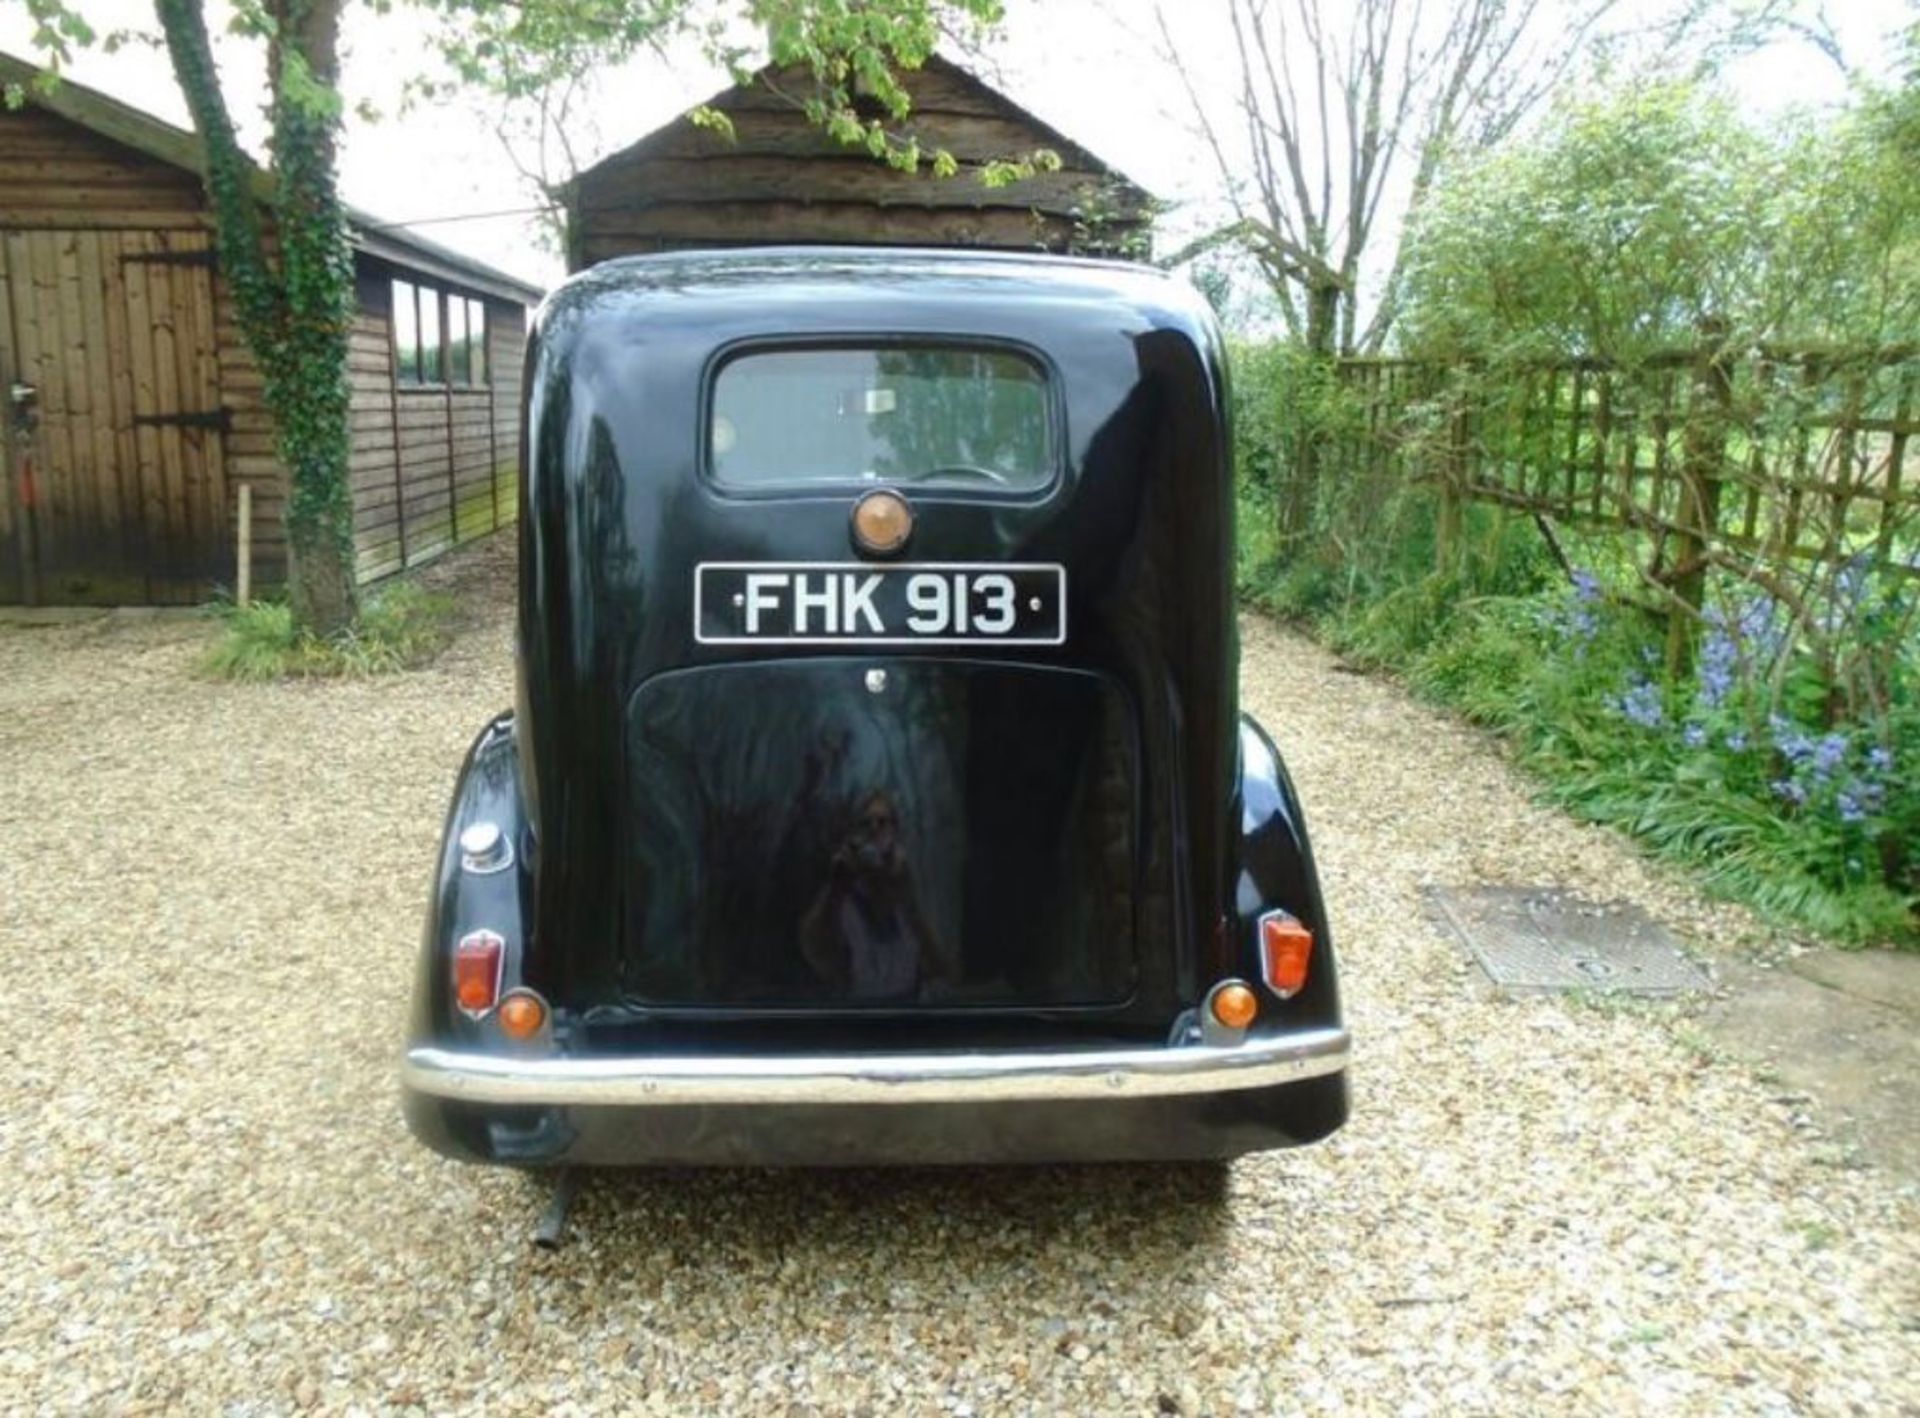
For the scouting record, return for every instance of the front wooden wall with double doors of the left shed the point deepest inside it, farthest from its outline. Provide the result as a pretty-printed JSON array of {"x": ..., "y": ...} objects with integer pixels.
[{"x": 110, "y": 312}]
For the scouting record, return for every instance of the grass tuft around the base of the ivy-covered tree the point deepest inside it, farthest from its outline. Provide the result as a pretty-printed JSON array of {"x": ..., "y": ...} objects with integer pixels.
[{"x": 400, "y": 628}]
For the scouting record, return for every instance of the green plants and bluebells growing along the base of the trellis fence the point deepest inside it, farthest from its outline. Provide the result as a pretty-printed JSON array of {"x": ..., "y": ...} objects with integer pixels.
[{"x": 1787, "y": 768}]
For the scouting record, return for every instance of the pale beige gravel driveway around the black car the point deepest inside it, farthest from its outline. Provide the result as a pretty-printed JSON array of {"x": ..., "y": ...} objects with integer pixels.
[{"x": 208, "y": 912}]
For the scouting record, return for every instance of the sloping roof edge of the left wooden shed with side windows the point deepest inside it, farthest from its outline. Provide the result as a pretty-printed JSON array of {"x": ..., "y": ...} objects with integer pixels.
[{"x": 166, "y": 143}]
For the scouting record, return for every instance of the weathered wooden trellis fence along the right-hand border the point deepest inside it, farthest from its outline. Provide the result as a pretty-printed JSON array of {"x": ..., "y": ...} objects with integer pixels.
[{"x": 1775, "y": 465}]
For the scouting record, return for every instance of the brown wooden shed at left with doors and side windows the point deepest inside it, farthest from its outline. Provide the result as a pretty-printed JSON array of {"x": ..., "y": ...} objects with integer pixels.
[{"x": 133, "y": 412}]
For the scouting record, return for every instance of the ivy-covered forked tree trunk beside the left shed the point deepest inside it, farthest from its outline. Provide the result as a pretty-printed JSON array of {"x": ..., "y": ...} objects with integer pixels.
[{"x": 295, "y": 308}]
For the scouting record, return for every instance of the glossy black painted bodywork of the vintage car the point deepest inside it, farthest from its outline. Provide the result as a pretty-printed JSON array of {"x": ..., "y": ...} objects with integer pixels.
[{"x": 744, "y": 847}]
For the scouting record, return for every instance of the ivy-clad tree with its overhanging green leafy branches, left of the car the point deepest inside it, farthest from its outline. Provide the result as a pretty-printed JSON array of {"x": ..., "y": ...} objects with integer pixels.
[{"x": 283, "y": 235}]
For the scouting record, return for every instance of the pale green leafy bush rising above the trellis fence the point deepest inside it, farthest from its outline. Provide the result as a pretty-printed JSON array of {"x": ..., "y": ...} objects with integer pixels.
[{"x": 1639, "y": 214}]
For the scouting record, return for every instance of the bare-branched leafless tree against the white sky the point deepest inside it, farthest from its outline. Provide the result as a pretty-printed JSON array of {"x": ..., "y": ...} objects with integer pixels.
[{"x": 1333, "y": 120}]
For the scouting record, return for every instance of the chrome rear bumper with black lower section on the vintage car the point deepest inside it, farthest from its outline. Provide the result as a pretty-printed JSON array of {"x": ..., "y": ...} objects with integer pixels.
[{"x": 863, "y": 1110}]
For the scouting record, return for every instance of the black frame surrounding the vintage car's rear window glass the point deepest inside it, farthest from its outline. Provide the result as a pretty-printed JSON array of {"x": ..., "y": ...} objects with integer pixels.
[{"x": 859, "y": 341}]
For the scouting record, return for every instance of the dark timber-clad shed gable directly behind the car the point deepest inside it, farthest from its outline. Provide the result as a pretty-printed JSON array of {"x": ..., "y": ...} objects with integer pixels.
[{"x": 779, "y": 179}]
